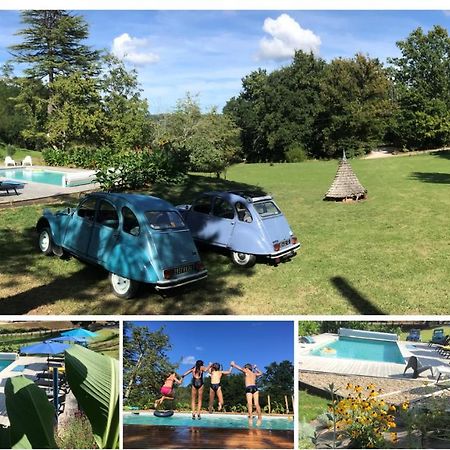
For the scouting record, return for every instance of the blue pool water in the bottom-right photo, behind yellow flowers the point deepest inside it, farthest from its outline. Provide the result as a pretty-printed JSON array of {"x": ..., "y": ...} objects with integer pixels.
[{"x": 362, "y": 349}]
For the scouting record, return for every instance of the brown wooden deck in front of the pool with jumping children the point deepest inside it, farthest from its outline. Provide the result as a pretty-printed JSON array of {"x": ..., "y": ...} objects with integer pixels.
[{"x": 148, "y": 436}]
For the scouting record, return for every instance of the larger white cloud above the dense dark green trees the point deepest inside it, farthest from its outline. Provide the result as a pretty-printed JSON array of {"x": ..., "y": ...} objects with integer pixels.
[{"x": 286, "y": 36}]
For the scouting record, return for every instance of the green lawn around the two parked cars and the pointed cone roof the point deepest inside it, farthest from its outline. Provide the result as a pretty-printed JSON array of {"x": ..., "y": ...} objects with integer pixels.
[{"x": 387, "y": 255}]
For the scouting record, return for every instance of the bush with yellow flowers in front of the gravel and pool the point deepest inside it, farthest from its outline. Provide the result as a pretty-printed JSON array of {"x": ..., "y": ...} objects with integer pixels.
[{"x": 362, "y": 417}]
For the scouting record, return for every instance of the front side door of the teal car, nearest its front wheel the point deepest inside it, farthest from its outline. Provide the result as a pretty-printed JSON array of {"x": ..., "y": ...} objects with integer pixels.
[{"x": 79, "y": 228}]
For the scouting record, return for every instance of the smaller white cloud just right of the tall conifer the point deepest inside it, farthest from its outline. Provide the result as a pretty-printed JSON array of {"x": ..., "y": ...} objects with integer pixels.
[{"x": 134, "y": 50}]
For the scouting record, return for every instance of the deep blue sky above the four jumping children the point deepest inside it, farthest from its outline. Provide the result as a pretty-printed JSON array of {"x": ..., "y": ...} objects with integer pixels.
[{"x": 254, "y": 342}]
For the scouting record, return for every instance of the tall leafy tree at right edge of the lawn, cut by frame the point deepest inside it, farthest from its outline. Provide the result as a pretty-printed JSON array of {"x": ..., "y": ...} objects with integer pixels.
[{"x": 422, "y": 89}]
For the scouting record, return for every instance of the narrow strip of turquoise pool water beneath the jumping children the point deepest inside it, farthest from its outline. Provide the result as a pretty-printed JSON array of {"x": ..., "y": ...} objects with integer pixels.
[{"x": 208, "y": 421}]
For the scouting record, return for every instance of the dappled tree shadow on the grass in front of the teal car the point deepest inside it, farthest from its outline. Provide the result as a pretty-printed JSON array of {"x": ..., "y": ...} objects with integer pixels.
[{"x": 88, "y": 290}]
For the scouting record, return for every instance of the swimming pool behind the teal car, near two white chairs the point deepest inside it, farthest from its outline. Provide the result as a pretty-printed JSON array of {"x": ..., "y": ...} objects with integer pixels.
[{"x": 53, "y": 177}]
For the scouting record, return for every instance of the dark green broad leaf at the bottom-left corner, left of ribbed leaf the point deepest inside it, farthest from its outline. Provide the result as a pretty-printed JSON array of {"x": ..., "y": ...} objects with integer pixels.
[{"x": 30, "y": 413}]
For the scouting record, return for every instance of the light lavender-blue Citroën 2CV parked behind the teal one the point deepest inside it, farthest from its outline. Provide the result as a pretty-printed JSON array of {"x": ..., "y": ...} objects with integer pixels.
[{"x": 248, "y": 225}]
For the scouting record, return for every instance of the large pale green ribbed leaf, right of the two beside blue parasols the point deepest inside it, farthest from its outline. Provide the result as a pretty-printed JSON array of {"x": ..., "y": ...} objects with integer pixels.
[{"x": 94, "y": 380}]
